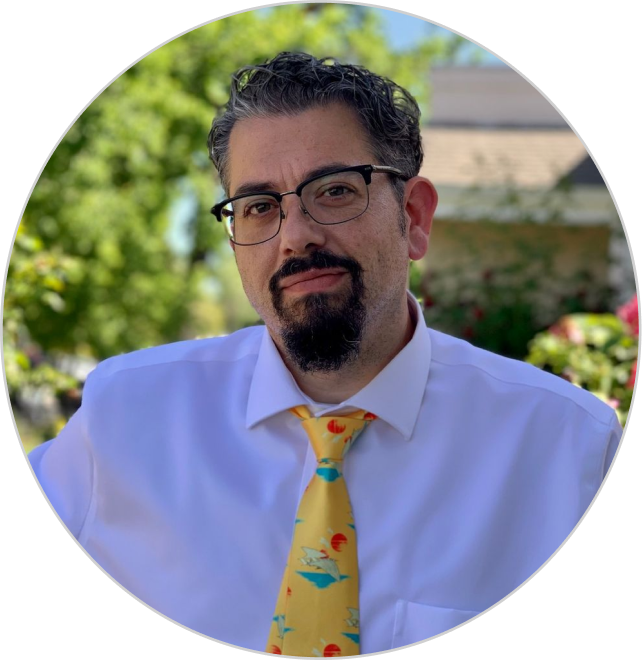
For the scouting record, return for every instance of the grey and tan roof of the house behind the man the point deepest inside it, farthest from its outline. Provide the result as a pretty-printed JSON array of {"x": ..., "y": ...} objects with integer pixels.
[{"x": 490, "y": 126}]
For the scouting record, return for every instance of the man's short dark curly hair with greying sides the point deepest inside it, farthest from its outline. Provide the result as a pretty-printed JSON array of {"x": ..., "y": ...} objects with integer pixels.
[{"x": 293, "y": 82}]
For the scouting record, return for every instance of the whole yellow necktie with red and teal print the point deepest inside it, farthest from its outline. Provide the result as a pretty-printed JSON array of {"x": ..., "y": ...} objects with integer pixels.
[{"x": 317, "y": 612}]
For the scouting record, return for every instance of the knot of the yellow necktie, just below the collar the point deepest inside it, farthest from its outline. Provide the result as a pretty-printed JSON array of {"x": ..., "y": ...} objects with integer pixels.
[{"x": 332, "y": 436}]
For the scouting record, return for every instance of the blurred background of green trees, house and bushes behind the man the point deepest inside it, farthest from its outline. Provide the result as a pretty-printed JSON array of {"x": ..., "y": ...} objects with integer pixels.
[{"x": 117, "y": 251}]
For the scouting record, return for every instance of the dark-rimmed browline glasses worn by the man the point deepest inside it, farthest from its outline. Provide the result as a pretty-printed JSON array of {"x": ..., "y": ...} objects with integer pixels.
[{"x": 329, "y": 199}]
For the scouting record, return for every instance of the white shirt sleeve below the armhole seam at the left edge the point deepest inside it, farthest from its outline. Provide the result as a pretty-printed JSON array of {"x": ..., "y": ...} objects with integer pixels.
[{"x": 64, "y": 468}]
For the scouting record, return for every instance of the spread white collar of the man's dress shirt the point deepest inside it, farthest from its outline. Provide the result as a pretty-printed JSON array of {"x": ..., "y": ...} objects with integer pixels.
[{"x": 394, "y": 395}]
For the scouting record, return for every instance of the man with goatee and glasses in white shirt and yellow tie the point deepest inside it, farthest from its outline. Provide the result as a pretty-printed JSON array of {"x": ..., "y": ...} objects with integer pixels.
[{"x": 186, "y": 471}]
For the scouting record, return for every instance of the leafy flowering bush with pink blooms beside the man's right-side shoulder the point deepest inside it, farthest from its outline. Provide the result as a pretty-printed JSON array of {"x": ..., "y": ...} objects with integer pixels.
[{"x": 595, "y": 351}]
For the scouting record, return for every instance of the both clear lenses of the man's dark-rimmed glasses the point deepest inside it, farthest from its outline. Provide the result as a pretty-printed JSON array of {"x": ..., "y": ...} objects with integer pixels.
[{"x": 329, "y": 200}]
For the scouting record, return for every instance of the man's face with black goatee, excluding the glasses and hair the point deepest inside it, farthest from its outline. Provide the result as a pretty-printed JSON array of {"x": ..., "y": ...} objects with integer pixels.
[{"x": 318, "y": 288}]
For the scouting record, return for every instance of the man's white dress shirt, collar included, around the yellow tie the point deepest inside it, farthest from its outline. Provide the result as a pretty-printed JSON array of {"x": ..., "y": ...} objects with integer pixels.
[{"x": 182, "y": 471}]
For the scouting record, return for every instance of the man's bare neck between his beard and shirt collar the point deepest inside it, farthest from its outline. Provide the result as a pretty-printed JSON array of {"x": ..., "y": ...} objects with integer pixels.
[{"x": 378, "y": 347}]
